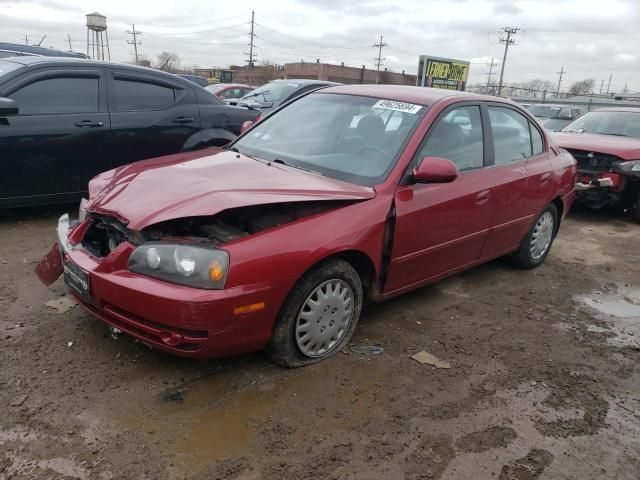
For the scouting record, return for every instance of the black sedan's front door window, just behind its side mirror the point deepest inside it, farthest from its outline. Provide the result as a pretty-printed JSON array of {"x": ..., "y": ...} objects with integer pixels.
[{"x": 58, "y": 95}]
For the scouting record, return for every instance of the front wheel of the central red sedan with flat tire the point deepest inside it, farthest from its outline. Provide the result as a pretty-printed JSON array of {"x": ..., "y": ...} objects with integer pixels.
[{"x": 304, "y": 334}]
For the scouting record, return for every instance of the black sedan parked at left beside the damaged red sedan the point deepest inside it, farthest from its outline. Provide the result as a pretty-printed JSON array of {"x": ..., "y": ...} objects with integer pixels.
[{"x": 62, "y": 121}]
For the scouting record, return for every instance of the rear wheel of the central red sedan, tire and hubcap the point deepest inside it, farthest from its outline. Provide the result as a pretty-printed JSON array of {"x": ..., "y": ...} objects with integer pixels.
[{"x": 532, "y": 253}]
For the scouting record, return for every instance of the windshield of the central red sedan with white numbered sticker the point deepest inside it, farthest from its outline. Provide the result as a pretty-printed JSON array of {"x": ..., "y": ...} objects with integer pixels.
[{"x": 351, "y": 138}]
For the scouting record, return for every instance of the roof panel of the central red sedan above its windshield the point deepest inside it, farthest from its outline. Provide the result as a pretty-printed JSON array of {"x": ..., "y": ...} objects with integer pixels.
[{"x": 406, "y": 93}]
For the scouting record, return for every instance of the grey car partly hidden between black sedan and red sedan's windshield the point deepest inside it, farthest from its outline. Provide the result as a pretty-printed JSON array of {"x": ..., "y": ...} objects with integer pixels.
[{"x": 278, "y": 92}]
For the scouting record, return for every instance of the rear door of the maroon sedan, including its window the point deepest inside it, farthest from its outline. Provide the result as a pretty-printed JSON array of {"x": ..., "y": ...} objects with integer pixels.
[{"x": 515, "y": 170}]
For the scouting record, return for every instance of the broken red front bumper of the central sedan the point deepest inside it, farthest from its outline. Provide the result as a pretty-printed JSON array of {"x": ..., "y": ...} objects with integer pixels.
[{"x": 181, "y": 320}]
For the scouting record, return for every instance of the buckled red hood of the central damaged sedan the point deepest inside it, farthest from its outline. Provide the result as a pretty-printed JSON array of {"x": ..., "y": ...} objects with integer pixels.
[{"x": 199, "y": 184}]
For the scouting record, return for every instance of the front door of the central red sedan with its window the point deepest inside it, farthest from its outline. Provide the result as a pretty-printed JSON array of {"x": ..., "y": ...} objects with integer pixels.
[{"x": 441, "y": 228}]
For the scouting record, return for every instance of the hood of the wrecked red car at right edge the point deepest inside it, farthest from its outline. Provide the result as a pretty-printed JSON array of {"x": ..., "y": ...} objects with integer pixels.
[{"x": 627, "y": 148}]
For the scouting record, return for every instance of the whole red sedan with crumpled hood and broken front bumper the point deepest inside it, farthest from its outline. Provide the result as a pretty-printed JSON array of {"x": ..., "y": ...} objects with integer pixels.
[{"x": 348, "y": 194}]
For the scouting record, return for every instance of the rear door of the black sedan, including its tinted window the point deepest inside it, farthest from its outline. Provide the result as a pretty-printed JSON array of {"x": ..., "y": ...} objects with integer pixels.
[{"x": 151, "y": 116}]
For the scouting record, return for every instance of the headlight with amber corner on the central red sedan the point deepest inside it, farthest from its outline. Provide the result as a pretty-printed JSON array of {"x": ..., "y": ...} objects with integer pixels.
[{"x": 197, "y": 267}]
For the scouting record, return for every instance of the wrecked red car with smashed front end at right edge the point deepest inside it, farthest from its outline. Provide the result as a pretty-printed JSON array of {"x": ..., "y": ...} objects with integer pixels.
[{"x": 606, "y": 144}]
